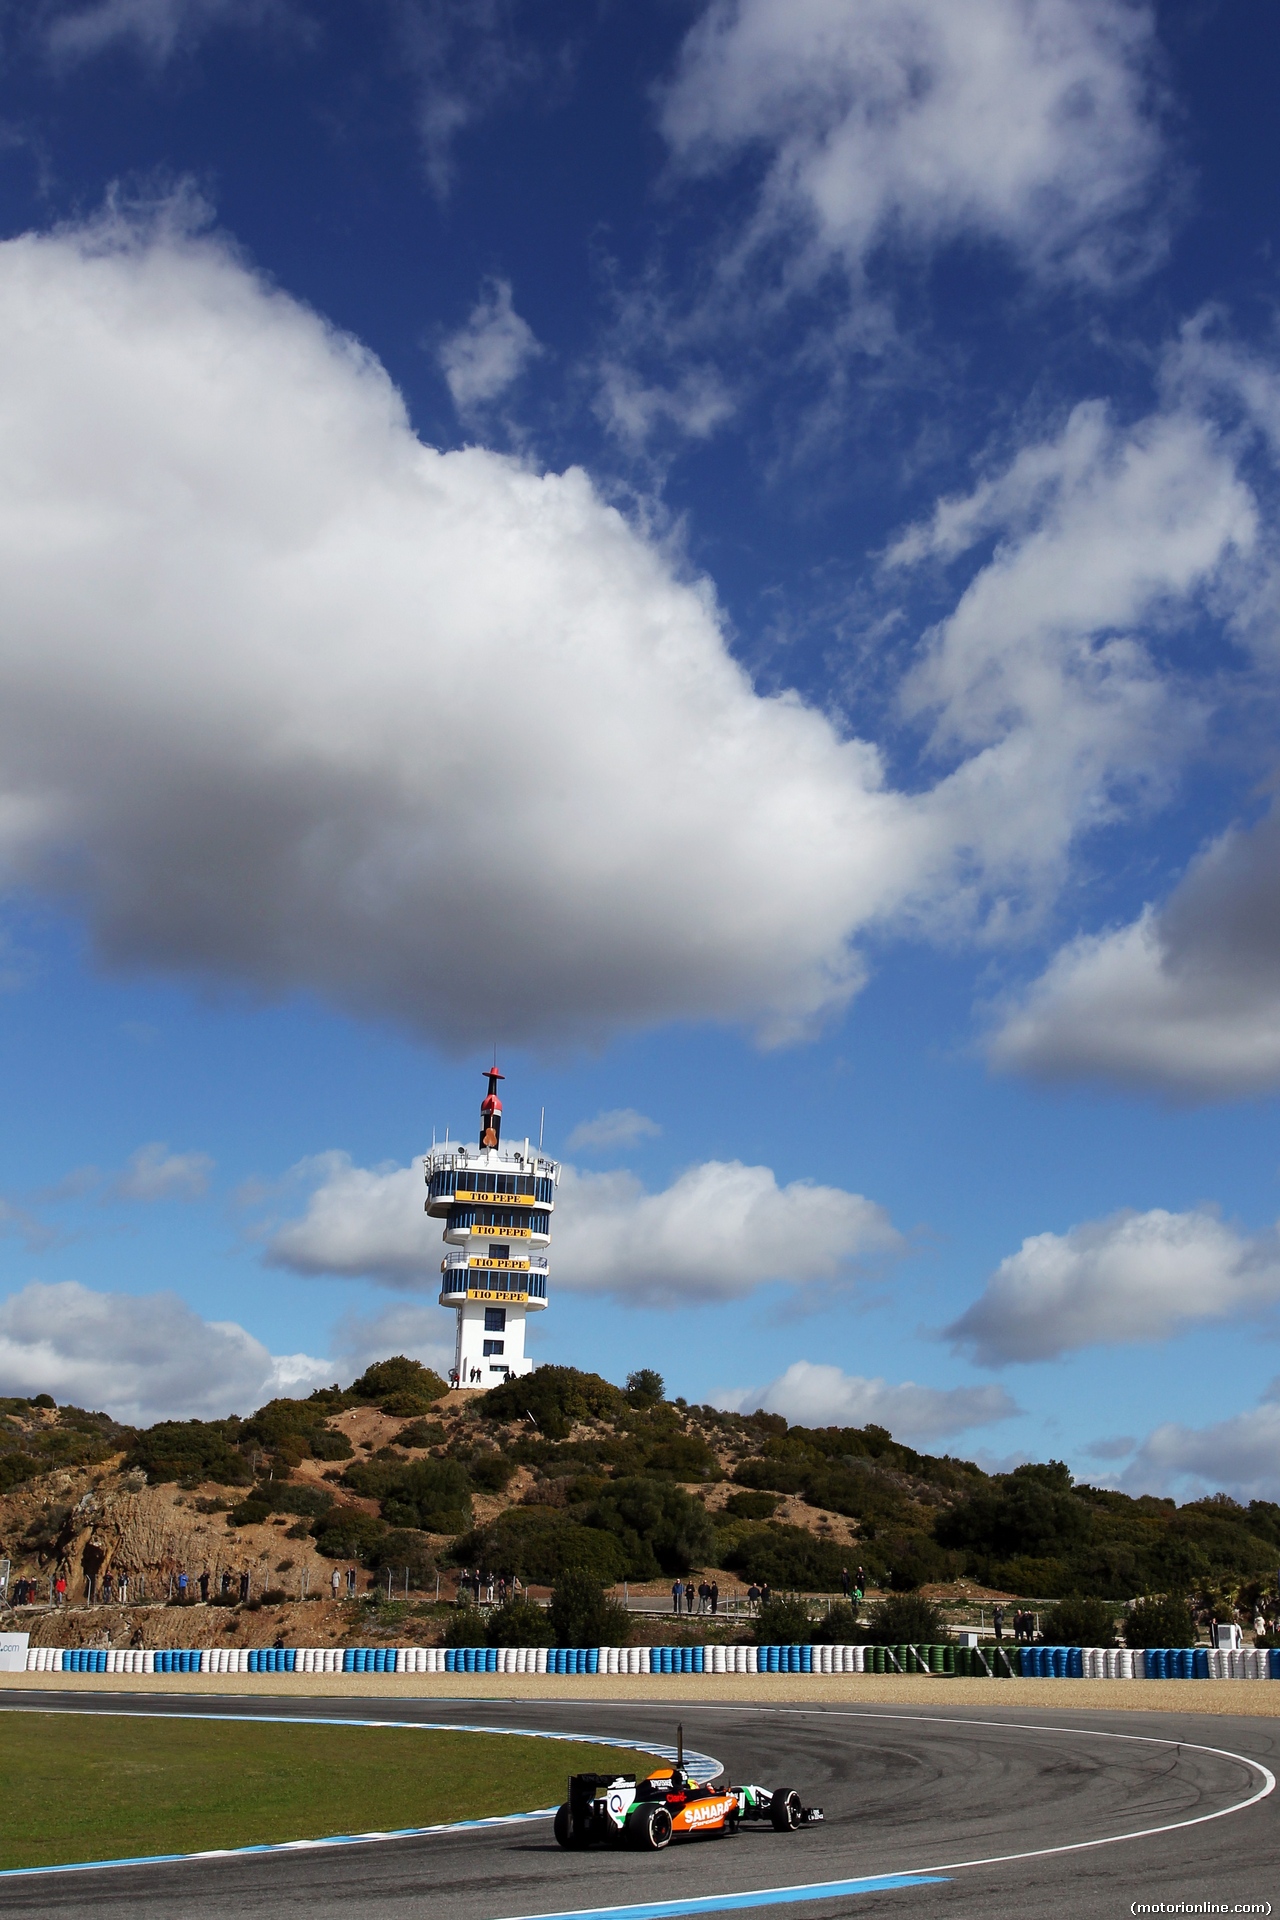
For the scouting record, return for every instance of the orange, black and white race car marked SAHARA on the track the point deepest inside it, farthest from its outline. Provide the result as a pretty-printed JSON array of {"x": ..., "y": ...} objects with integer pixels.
[{"x": 623, "y": 1812}]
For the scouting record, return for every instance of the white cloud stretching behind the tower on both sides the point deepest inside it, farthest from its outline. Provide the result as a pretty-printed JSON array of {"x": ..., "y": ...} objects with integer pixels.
[{"x": 721, "y": 1232}]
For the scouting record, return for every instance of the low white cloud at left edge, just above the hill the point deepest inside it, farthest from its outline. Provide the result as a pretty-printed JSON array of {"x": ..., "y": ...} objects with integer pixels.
[{"x": 139, "y": 1356}]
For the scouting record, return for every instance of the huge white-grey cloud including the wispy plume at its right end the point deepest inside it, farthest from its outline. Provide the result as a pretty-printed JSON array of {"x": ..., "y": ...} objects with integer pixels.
[{"x": 254, "y": 631}]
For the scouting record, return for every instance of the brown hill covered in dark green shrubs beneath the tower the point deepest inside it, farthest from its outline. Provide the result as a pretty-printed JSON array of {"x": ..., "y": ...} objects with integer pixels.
[{"x": 565, "y": 1470}]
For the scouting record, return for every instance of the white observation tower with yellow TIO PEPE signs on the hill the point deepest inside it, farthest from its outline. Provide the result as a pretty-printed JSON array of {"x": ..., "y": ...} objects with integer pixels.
[{"x": 496, "y": 1205}]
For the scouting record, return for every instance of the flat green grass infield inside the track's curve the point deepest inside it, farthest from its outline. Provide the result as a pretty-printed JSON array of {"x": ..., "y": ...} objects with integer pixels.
[{"x": 107, "y": 1788}]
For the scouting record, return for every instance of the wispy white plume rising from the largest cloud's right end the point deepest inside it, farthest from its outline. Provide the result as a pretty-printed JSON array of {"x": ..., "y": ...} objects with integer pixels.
[{"x": 1043, "y": 681}]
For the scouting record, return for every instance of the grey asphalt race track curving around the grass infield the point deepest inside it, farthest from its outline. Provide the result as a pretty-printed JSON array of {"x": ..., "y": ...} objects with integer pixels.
[{"x": 972, "y": 1800}]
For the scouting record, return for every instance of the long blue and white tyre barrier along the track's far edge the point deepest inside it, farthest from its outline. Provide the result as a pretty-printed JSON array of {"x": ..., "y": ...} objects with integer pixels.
[{"x": 980, "y": 1664}]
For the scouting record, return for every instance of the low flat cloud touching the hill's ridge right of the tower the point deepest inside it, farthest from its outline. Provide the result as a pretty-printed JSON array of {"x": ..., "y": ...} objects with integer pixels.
[{"x": 811, "y": 1395}]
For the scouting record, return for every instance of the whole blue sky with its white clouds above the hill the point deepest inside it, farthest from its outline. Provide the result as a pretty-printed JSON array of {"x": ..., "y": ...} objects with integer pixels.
[{"x": 730, "y": 552}]
